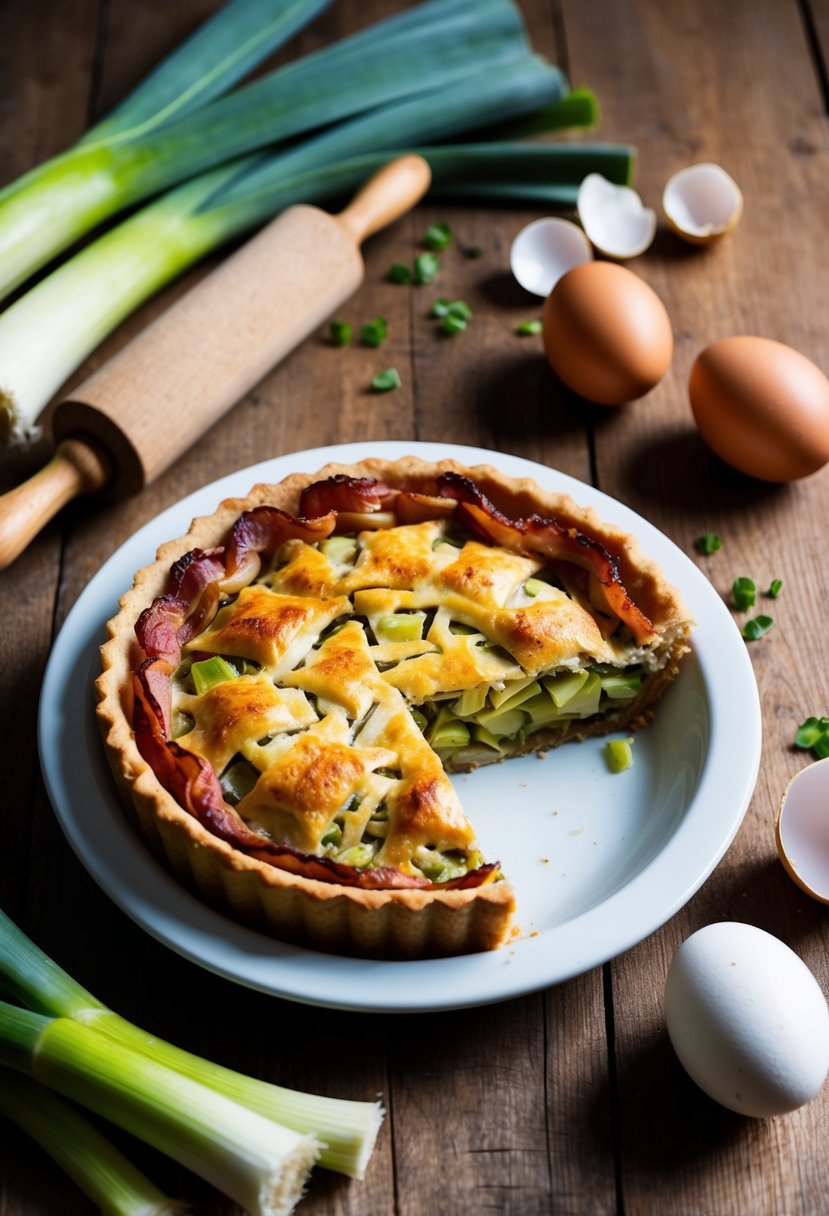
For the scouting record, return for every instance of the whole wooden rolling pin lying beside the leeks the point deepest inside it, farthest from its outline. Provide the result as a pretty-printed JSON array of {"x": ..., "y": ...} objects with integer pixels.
[{"x": 134, "y": 418}]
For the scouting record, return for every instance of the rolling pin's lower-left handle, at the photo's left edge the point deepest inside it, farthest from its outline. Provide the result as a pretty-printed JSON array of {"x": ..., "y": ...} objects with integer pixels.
[{"x": 77, "y": 468}]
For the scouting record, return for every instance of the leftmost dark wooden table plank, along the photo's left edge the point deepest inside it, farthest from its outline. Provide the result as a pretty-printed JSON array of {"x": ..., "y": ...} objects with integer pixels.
[{"x": 43, "y": 108}]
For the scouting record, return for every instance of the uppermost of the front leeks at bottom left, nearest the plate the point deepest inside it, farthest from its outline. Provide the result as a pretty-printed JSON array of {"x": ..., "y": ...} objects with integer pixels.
[{"x": 348, "y": 1130}]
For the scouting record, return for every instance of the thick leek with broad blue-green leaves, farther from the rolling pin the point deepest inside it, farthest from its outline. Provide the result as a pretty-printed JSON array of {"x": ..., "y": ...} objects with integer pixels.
[{"x": 137, "y": 155}]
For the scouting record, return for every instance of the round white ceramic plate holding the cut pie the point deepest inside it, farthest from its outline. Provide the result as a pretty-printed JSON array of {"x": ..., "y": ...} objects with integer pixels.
[{"x": 599, "y": 862}]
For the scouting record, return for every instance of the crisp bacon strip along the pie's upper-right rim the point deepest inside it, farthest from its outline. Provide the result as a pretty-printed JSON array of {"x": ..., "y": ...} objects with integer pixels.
[{"x": 537, "y": 537}]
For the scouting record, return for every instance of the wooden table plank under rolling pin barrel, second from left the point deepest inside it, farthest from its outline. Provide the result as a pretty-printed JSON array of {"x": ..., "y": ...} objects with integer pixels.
[{"x": 318, "y": 396}]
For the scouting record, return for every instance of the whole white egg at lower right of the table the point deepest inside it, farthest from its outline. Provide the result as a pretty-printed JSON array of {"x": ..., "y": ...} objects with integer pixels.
[{"x": 748, "y": 1020}]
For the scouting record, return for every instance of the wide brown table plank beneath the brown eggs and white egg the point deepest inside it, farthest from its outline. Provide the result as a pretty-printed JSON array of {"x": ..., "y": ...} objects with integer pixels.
[{"x": 692, "y": 83}]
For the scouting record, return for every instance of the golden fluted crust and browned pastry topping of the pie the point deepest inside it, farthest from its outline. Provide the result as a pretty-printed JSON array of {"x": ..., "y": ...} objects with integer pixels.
[{"x": 471, "y": 586}]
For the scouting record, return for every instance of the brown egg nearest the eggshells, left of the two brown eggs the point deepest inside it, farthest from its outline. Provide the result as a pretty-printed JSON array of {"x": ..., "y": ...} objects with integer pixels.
[{"x": 607, "y": 334}]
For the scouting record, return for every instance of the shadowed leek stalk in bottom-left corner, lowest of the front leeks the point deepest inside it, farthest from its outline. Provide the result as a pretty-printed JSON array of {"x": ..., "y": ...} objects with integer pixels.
[{"x": 101, "y": 1172}]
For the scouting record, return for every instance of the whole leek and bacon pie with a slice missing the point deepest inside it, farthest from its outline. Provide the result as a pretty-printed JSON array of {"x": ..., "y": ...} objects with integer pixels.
[{"x": 286, "y": 688}]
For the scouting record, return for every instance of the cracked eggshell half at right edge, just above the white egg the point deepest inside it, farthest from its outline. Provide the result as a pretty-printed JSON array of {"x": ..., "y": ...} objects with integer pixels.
[{"x": 803, "y": 830}]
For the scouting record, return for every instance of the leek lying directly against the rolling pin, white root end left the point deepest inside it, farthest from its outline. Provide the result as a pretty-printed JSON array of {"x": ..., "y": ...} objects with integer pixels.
[{"x": 116, "y": 273}]
